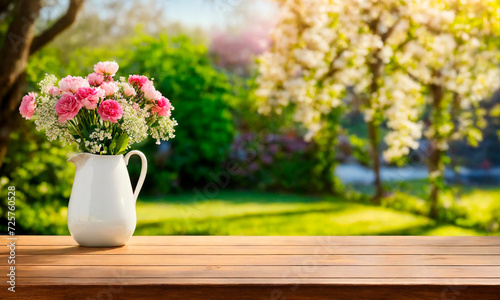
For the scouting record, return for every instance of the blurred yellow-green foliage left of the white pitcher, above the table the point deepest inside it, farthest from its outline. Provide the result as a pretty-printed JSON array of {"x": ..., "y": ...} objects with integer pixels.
[{"x": 42, "y": 177}]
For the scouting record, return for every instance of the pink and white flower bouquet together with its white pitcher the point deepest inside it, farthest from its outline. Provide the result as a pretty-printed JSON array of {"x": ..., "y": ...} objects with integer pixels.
[{"x": 104, "y": 117}]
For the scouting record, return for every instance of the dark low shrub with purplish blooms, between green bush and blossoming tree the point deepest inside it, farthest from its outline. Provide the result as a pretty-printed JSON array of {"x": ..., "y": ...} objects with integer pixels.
[{"x": 276, "y": 162}]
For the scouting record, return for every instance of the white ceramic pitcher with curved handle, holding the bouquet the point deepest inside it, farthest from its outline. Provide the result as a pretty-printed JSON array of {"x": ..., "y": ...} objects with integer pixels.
[{"x": 101, "y": 210}]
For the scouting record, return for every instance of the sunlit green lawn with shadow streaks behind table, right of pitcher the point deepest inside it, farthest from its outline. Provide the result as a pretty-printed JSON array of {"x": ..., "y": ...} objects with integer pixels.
[{"x": 252, "y": 213}]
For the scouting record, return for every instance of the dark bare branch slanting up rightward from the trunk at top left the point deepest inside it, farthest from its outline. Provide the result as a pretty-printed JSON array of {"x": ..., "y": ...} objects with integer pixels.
[{"x": 59, "y": 26}]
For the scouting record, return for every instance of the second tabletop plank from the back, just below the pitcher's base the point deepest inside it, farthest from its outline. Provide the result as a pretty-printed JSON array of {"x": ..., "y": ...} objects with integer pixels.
[{"x": 254, "y": 250}]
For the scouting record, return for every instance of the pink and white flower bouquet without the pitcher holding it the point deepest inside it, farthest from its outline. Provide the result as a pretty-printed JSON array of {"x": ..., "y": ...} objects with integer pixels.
[{"x": 101, "y": 115}]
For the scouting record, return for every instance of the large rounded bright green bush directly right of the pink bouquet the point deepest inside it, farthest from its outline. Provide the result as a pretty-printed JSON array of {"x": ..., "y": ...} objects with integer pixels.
[{"x": 200, "y": 95}]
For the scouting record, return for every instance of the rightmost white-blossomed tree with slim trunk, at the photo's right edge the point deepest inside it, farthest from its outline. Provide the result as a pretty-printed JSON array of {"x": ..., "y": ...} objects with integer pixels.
[{"x": 453, "y": 54}]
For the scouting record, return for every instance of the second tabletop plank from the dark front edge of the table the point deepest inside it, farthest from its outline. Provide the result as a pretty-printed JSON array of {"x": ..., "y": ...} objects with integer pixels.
[{"x": 253, "y": 260}]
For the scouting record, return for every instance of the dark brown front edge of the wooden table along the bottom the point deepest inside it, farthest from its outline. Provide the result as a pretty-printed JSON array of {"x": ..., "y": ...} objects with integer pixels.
[{"x": 257, "y": 292}]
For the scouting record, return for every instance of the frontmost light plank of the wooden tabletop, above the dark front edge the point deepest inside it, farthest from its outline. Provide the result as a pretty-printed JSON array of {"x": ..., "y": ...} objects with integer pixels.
[{"x": 260, "y": 271}]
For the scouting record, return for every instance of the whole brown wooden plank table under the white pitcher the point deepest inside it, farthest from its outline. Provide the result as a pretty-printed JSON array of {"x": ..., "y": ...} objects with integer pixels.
[{"x": 238, "y": 267}]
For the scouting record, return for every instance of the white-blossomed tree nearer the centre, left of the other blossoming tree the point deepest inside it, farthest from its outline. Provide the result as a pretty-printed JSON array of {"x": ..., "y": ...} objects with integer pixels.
[{"x": 324, "y": 48}]
